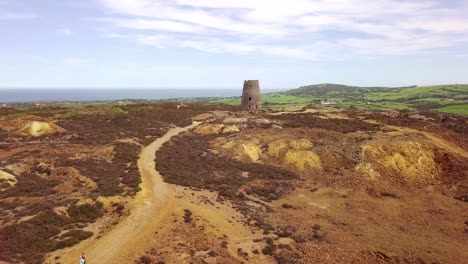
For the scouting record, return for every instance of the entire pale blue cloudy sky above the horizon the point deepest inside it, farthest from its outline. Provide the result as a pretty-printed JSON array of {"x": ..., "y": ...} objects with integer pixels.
[{"x": 218, "y": 44}]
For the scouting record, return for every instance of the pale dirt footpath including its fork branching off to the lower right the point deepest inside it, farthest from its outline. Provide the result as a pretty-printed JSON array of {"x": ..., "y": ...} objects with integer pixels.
[{"x": 152, "y": 212}]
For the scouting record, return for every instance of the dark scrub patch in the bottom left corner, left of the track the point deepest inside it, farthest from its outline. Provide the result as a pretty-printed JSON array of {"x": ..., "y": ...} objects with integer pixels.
[{"x": 30, "y": 240}]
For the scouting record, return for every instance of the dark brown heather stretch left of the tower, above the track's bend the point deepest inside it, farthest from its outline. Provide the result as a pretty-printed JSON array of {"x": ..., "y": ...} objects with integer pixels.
[{"x": 130, "y": 121}]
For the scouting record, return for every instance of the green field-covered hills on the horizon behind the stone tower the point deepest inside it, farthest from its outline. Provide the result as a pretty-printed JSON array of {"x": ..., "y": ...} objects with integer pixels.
[{"x": 443, "y": 98}]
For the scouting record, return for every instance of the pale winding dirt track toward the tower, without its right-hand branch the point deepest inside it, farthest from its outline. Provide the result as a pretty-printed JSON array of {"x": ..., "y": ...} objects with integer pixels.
[{"x": 128, "y": 240}]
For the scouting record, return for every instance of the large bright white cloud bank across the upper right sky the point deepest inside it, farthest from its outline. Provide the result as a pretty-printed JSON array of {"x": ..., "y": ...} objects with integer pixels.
[{"x": 294, "y": 28}]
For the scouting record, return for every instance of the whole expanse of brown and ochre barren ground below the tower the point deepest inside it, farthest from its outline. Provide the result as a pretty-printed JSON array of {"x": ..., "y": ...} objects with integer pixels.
[{"x": 318, "y": 186}]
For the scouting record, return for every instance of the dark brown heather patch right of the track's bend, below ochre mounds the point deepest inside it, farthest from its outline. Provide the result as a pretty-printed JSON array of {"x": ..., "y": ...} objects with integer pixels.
[{"x": 186, "y": 161}]
